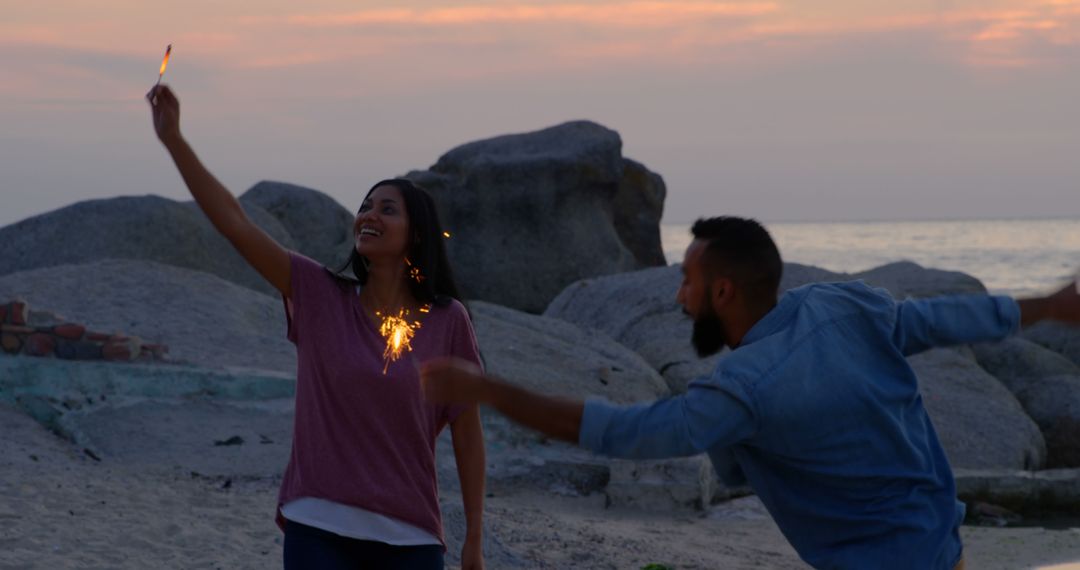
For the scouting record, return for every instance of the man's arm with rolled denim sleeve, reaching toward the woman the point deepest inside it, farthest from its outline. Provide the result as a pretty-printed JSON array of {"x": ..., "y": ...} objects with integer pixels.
[{"x": 678, "y": 427}]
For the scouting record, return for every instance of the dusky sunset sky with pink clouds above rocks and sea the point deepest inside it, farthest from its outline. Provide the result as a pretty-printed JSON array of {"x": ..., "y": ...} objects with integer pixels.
[{"x": 816, "y": 111}]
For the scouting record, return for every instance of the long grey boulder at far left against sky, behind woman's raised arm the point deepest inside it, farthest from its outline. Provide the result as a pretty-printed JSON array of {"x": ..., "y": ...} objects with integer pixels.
[{"x": 150, "y": 228}]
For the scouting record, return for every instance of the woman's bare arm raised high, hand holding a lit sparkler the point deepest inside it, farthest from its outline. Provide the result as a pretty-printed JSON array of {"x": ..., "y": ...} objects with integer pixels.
[{"x": 264, "y": 254}]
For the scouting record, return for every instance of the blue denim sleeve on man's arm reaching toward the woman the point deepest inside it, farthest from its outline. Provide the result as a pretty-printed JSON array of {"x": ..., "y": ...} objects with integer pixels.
[{"x": 704, "y": 418}]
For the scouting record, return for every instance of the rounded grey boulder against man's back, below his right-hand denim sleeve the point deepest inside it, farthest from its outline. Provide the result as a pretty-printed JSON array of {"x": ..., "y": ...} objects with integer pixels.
[{"x": 980, "y": 423}]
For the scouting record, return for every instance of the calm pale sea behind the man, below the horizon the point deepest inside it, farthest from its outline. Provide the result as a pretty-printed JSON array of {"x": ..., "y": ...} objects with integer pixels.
[{"x": 1011, "y": 257}]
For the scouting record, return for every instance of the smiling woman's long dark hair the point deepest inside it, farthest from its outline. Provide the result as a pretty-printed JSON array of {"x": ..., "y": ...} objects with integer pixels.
[{"x": 427, "y": 248}]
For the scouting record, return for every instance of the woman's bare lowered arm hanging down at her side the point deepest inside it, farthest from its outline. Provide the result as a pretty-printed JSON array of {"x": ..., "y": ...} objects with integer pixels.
[{"x": 469, "y": 452}]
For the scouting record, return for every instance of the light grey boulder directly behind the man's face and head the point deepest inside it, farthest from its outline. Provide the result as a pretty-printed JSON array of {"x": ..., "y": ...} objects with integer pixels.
[{"x": 639, "y": 309}]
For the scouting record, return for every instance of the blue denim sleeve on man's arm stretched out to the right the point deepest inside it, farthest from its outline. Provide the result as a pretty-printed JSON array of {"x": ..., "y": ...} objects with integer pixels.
[{"x": 923, "y": 324}]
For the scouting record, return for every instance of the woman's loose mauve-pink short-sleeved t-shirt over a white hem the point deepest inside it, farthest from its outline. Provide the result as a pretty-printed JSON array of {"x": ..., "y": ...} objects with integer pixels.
[{"x": 361, "y": 438}]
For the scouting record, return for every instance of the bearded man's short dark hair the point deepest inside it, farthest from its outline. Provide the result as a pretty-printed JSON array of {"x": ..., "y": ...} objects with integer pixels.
[{"x": 742, "y": 250}]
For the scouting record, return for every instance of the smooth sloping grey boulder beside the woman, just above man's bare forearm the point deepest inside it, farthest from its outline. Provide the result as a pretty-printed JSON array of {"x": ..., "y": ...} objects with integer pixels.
[{"x": 555, "y": 357}]
